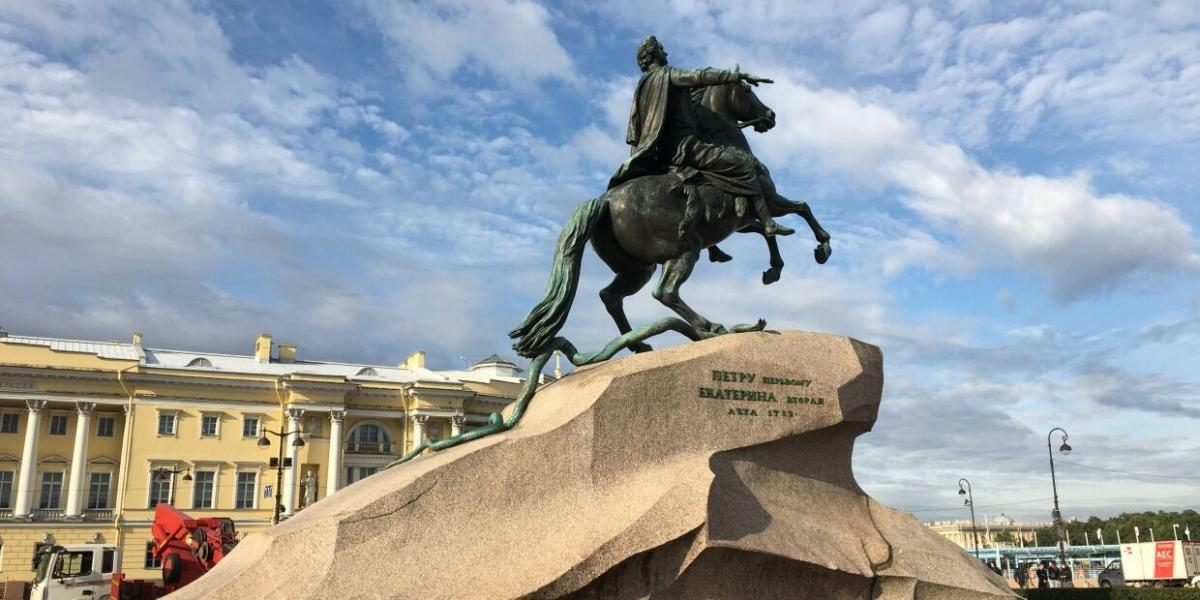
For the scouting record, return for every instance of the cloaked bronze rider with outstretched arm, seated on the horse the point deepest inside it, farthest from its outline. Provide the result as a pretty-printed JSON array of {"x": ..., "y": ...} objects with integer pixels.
[{"x": 664, "y": 133}]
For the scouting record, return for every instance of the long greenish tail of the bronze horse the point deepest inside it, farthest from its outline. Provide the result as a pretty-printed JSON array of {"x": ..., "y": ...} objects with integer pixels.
[{"x": 545, "y": 320}]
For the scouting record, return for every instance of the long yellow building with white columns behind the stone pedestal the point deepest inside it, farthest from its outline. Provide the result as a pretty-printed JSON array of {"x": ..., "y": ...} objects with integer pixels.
[{"x": 93, "y": 435}]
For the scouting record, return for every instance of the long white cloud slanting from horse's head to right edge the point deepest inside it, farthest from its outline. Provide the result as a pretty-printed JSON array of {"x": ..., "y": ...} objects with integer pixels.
[{"x": 1081, "y": 241}]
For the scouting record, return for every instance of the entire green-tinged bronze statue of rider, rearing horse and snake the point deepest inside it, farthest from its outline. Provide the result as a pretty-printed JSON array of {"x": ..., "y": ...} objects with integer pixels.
[{"x": 691, "y": 182}]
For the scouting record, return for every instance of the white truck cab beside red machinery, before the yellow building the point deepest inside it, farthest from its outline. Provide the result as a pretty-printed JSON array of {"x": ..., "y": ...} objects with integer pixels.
[{"x": 81, "y": 572}]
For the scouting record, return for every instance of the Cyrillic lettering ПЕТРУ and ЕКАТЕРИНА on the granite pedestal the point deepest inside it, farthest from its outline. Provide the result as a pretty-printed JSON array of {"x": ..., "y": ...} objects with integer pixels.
[{"x": 759, "y": 395}]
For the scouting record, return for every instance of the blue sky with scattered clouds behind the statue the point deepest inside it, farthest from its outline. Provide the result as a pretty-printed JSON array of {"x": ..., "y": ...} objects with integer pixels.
[{"x": 1011, "y": 190}]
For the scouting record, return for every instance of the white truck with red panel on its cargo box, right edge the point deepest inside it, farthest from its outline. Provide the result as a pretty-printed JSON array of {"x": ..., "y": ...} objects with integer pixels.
[{"x": 1155, "y": 565}]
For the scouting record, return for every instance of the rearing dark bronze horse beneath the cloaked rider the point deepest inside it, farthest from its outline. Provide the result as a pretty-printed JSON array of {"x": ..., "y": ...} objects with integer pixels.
[{"x": 635, "y": 227}]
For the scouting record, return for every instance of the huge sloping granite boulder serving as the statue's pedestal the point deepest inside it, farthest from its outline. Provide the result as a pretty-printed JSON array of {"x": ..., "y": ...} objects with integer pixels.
[{"x": 719, "y": 470}]
